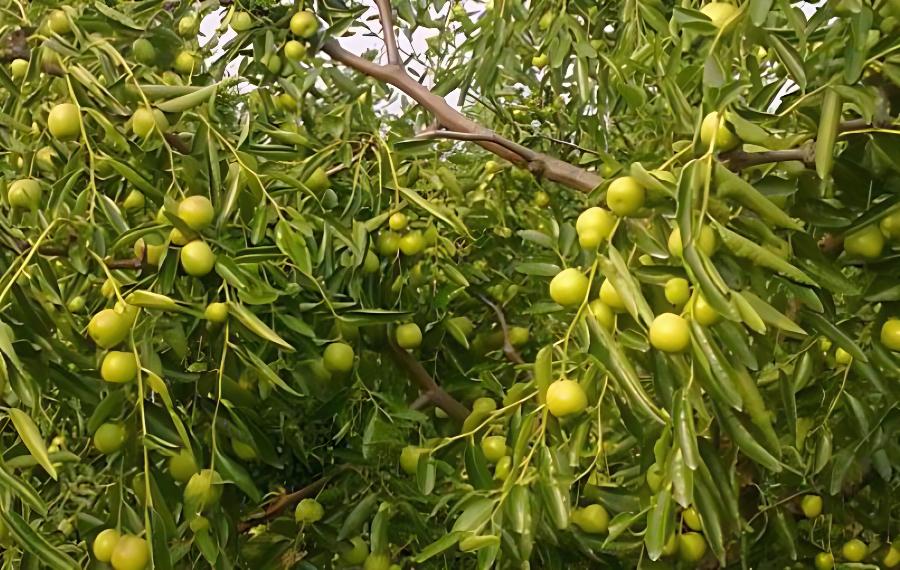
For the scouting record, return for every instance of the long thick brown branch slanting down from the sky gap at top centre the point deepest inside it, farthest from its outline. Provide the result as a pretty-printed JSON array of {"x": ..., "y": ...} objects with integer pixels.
[{"x": 449, "y": 118}]
